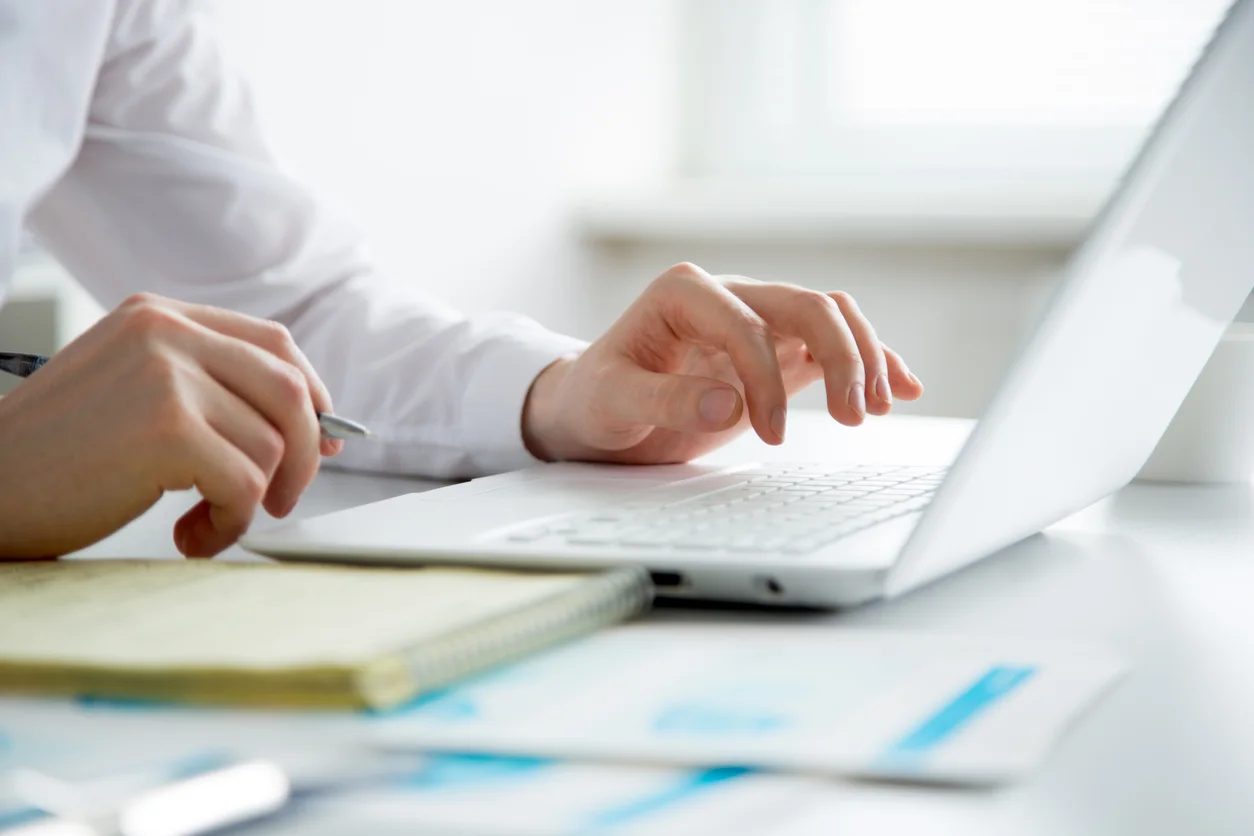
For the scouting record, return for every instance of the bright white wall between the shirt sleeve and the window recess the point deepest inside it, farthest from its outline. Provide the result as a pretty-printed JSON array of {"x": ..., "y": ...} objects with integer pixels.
[{"x": 461, "y": 132}]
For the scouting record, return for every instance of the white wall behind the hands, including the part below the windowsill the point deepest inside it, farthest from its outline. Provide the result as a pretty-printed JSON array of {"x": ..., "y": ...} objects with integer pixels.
[{"x": 463, "y": 133}]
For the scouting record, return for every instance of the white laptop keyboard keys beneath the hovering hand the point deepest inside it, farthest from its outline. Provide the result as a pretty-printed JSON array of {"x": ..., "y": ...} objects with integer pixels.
[{"x": 791, "y": 509}]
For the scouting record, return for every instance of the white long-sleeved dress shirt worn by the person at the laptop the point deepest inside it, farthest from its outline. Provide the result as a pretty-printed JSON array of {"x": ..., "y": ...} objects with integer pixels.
[{"x": 131, "y": 150}]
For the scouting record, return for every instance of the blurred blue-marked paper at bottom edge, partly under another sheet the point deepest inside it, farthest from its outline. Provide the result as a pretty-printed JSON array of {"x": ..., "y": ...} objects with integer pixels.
[{"x": 505, "y": 797}]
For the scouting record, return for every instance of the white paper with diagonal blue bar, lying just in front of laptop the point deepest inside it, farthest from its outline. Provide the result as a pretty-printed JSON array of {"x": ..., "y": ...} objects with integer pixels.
[{"x": 783, "y": 698}]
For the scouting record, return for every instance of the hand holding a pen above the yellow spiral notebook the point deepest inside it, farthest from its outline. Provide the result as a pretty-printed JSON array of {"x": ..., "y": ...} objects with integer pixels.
[{"x": 160, "y": 395}]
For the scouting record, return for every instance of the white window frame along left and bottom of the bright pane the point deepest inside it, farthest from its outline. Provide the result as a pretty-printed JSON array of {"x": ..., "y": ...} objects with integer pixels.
[{"x": 788, "y": 141}]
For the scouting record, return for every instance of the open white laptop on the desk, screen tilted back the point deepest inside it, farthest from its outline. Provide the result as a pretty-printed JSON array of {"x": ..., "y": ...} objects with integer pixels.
[{"x": 1146, "y": 300}]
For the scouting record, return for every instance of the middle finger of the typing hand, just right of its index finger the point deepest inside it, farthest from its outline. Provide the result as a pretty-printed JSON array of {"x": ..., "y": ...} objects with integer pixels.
[{"x": 816, "y": 318}]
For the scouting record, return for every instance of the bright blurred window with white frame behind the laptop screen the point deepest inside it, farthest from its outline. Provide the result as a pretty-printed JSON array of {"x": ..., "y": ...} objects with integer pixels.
[{"x": 916, "y": 92}]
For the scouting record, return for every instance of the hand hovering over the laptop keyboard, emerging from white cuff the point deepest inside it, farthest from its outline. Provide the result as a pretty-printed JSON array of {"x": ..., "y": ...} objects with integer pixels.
[{"x": 697, "y": 360}]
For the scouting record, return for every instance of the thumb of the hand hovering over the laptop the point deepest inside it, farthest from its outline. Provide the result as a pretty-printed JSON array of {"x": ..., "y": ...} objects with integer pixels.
[{"x": 675, "y": 402}]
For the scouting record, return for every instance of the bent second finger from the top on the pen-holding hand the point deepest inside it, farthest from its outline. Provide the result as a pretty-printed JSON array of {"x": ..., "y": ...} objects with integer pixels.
[{"x": 278, "y": 392}]
